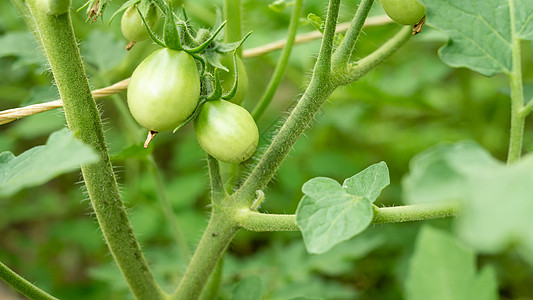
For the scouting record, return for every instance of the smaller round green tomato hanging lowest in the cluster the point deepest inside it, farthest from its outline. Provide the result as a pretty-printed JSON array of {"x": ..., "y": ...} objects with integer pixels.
[{"x": 226, "y": 131}]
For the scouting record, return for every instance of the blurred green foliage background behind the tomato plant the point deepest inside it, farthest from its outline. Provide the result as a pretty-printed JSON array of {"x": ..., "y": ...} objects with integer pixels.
[{"x": 413, "y": 101}]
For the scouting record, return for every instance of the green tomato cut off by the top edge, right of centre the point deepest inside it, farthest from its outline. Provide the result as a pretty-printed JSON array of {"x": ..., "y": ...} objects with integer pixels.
[{"x": 405, "y": 12}]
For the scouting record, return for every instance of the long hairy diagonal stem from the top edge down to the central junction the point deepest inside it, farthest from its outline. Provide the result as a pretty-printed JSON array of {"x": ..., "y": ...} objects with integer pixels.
[{"x": 317, "y": 92}]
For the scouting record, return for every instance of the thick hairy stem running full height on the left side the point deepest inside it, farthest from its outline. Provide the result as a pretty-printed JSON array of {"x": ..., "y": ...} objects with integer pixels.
[{"x": 84, "y": 121}]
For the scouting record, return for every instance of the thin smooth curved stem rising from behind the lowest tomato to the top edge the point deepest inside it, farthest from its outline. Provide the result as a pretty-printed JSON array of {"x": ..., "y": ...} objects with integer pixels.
[{"x": 282, "y": 63}]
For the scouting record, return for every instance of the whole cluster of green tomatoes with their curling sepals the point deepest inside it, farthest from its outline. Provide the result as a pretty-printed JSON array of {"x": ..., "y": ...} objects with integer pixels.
[{"x": 172, "y": 86}]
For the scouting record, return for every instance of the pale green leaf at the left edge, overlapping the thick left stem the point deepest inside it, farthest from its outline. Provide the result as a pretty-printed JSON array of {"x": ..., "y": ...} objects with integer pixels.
[{"x": 62, "y": 153}]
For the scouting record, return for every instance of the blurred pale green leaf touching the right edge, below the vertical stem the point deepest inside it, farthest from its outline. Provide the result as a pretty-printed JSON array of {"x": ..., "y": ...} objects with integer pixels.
[{"x": 498, "y": 211}]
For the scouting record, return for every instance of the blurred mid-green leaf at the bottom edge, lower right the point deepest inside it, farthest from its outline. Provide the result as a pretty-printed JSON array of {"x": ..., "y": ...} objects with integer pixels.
[{"x": 443, "y": 269}]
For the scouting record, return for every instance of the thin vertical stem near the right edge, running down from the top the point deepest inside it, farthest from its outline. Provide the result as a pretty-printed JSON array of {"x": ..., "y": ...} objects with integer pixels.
[{"x": 517, "y": 95}]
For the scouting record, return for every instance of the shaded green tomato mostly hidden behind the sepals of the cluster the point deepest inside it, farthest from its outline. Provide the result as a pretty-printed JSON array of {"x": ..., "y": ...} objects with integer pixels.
[{"x": 227, "y": 78}]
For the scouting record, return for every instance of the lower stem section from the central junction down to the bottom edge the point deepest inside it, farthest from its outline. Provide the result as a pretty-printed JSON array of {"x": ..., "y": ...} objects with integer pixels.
[{"x": 217, "y": 236}]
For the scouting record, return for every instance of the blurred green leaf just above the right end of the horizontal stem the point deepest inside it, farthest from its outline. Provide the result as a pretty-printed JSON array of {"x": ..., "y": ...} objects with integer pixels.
[{"x": 439, "y": 173}]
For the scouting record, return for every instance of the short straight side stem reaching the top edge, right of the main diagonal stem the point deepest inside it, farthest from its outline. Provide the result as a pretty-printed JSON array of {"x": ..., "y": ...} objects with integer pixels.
[{"x": 342, "y": 55}]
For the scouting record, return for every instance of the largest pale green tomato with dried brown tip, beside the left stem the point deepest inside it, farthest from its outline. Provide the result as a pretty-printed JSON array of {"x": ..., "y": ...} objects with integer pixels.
[{"x": 164, "y": 90}]
